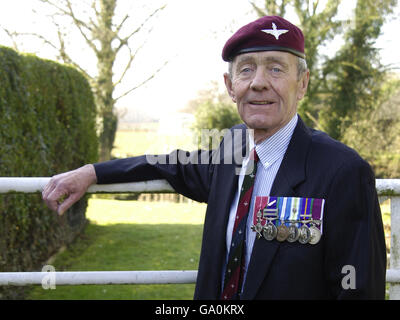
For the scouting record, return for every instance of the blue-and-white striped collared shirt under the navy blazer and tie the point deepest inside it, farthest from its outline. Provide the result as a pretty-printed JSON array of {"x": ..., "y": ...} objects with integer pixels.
[{"x": 270, "y": 152}]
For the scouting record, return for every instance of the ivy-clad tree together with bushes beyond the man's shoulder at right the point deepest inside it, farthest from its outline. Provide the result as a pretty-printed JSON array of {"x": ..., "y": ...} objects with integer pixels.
[{"x": 360, "y": 106}]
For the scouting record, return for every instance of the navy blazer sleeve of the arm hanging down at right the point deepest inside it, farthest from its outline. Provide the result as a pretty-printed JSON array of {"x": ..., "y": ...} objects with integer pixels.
[{"x": 355, "y": 243}]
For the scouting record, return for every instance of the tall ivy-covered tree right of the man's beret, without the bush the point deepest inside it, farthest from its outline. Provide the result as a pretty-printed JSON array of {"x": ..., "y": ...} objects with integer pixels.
[{"x": 355, "y": 77}]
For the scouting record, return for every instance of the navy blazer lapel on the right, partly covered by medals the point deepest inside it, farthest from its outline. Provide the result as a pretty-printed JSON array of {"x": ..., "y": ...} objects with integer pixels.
[{"x": 290, "y": 174}]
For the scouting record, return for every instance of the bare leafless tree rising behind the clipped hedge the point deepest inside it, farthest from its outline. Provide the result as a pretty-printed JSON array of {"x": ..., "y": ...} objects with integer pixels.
[{"x": 97, "y": 24}]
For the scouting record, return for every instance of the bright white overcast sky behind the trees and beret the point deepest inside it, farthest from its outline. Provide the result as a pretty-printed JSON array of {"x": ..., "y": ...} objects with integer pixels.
[{"x": 189, "y": 34}]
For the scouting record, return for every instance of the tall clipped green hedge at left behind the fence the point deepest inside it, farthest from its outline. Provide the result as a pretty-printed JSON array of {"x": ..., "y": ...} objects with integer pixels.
[{"x": 47, "y": 121}]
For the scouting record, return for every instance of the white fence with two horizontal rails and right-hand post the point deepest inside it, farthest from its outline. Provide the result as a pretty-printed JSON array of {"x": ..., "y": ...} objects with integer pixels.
[{"x": 387, "y": 188}]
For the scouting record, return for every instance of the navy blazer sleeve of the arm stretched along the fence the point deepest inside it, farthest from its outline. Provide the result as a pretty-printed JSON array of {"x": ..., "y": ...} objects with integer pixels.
[{"x": 189, "y": 173}]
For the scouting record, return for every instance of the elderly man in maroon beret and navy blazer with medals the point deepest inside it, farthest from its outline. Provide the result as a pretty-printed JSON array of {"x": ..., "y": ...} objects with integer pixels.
[{"x": 299, "y": 219}]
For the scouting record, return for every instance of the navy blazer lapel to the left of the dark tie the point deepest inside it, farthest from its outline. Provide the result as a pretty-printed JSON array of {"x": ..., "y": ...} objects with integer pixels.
[{"x": 213, "y": 253}]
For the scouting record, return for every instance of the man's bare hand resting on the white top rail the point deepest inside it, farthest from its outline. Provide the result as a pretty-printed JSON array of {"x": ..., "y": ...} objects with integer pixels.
[{"x": 69, "y": 186}]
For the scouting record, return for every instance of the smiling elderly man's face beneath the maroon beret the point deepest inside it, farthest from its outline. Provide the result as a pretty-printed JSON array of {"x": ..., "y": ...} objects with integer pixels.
[{"x": 265, "y": 87}]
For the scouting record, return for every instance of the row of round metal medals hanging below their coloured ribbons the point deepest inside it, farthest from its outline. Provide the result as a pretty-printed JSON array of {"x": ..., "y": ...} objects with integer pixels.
[{"x": 290, "y": 233}]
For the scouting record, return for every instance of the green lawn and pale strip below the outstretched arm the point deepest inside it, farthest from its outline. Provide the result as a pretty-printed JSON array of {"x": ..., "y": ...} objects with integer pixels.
[{"x": 132, "y": 235}]
